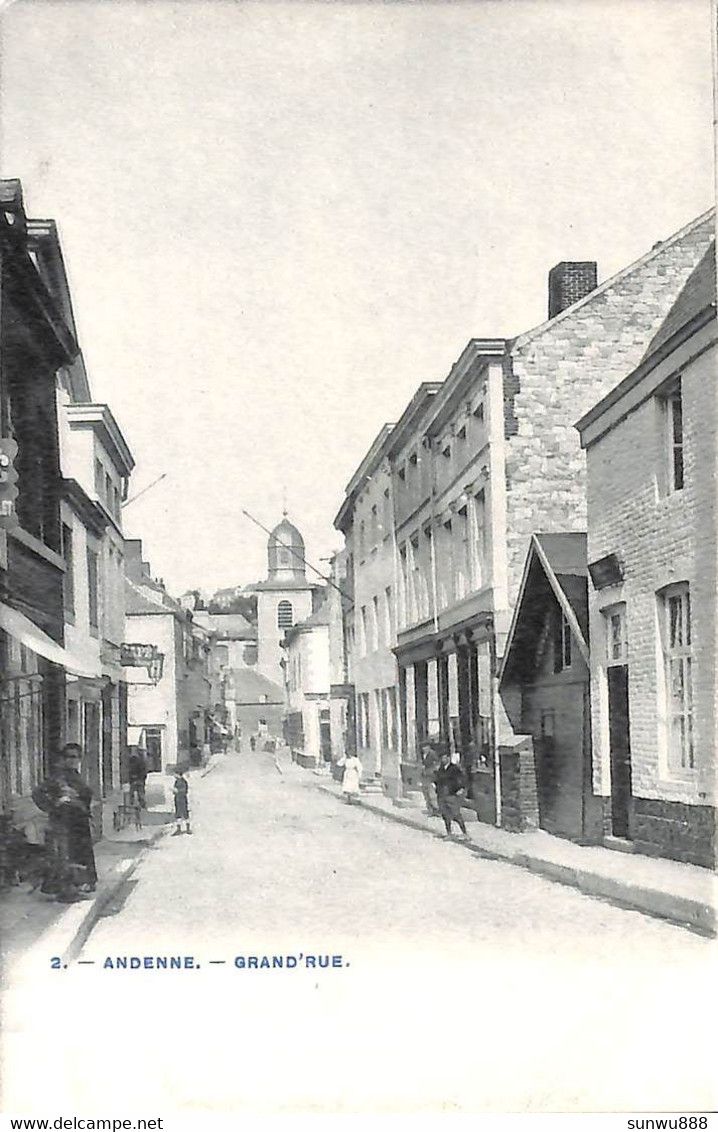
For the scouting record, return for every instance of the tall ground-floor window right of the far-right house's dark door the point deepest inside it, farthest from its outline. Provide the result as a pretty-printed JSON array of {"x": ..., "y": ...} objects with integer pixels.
[{"x": 676, "y": 608}]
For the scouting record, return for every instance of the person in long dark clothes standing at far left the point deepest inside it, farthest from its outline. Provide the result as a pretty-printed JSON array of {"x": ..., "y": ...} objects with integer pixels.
[{"x": 67, "y": 801}]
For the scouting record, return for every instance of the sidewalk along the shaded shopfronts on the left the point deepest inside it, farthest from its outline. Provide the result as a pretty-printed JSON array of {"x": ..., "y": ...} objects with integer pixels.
[{"x": 27, "y": 919}]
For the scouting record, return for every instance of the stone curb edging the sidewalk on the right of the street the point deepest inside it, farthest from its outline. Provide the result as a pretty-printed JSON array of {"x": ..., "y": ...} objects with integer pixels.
[{"x": 681, "y": 911}]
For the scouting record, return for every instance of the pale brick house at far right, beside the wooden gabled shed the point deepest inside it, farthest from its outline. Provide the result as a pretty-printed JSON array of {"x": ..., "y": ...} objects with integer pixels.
[{"x": 652, "y": 449}]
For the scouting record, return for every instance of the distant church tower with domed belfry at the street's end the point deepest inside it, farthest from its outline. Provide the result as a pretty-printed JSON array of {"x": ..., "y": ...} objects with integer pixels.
[{"x": 284, "y": 599}]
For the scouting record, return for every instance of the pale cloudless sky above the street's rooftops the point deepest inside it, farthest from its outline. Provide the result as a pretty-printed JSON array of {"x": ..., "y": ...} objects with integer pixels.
[{"x": 280, "y": 218}]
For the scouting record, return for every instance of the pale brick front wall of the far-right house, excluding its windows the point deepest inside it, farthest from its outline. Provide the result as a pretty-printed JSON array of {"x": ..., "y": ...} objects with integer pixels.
[{"x": 663, "y": 538}]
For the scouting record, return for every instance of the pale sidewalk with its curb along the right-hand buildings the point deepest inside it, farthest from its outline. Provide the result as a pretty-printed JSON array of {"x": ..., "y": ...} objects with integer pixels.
[{"x": 671, "y": 890}]
